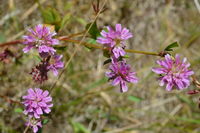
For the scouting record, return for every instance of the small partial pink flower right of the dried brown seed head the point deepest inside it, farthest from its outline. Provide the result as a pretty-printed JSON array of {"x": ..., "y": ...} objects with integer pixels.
[{"x": 55, "y": 64}]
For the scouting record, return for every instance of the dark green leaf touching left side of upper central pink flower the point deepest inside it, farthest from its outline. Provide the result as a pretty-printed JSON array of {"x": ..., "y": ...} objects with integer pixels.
[{"x": 93, "y": 31}]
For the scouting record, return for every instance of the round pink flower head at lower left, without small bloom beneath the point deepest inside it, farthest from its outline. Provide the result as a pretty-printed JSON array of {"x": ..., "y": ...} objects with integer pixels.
[{"x": 37, "y": 102}]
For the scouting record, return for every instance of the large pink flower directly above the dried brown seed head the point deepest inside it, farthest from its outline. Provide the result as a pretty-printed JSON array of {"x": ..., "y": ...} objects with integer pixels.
[{"x": 41, "y": 37}]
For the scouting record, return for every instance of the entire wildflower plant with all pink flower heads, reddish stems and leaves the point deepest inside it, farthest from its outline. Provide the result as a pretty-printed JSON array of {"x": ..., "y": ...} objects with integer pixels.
[{"x": 174, "y": 72}]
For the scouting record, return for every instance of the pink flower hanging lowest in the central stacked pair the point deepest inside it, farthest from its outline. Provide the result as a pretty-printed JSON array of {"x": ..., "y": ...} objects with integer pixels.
[{"x": 120, "y": 74}]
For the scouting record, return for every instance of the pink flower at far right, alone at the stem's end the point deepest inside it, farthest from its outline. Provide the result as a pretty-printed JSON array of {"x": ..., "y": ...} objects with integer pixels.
[{"x": 174, "y": 72}]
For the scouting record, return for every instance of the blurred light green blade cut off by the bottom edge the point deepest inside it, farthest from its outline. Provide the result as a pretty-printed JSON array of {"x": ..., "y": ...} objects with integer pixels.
[{"x": 79, "y": 128}]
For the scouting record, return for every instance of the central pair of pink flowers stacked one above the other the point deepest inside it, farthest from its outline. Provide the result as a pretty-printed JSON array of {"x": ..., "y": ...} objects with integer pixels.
[{"x": 114, "y": 41}]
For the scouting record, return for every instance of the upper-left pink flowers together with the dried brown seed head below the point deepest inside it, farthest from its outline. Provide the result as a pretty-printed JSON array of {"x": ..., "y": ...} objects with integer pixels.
[{"x": 41, "y": 38}]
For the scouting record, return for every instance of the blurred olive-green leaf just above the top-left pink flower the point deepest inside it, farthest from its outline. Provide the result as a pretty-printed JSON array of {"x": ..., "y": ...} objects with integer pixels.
[{"x": 51, "y": 16}]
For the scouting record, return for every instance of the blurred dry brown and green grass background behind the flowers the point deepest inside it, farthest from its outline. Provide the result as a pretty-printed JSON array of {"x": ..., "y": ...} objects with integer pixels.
[{"x": 84, "y": 102}]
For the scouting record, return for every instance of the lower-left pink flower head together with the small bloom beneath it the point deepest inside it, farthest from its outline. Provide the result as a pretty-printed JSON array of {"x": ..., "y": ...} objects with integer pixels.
[{"x": 37, "y": 102}]
